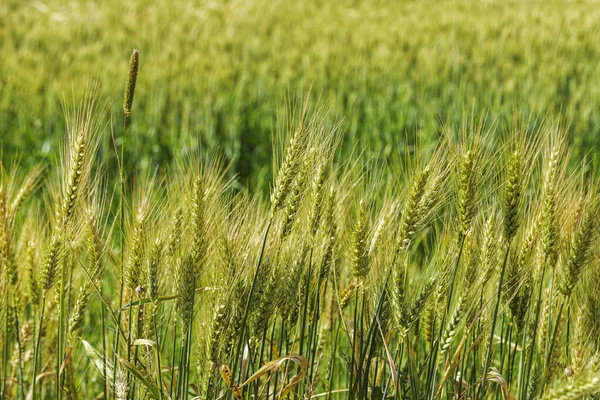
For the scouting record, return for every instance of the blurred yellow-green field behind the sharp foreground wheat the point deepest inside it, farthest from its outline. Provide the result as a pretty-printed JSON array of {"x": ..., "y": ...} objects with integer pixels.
[{"x": 220, "y": 70}]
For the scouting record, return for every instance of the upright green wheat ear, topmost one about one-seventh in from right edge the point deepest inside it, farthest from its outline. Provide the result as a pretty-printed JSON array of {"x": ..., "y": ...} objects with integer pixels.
[{"x": 512, "y": 196}]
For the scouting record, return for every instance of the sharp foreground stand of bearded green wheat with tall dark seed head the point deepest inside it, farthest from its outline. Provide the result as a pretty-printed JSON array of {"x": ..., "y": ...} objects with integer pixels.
[{"x": 472, "y": 274}]
